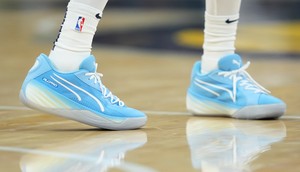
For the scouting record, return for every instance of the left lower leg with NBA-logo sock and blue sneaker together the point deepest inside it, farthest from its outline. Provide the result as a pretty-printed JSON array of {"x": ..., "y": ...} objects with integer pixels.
[{"x": 67, "y": 83}]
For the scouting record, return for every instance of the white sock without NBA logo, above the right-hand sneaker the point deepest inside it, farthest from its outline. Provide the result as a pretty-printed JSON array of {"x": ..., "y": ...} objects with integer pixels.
[{"x": 221, "y": 20}]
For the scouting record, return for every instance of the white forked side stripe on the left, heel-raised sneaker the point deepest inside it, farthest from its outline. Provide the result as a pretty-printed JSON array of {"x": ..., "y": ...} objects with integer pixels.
[{"x": 77, "y": 87}]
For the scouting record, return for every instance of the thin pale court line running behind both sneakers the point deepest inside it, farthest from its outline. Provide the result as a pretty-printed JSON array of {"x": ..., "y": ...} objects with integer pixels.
[{"x": 152, "y": 112}]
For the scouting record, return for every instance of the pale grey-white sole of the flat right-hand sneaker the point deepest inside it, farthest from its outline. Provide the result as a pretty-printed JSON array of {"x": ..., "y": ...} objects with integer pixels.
[{"x": 209, "y": 108}]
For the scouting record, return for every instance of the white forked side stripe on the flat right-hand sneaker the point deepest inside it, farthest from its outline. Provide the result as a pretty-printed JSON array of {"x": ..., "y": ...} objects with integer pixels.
[{"x": 205, "y": 86}]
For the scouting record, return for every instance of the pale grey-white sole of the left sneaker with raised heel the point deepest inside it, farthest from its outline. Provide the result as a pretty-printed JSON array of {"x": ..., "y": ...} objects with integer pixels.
[{"x": 89, "y": 118}]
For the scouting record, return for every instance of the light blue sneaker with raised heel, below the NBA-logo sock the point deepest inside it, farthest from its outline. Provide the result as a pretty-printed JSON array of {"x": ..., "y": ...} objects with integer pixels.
[{"x": 79, "y": 95}]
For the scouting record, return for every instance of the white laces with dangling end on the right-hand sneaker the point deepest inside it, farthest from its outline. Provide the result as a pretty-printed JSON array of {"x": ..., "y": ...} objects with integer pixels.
[{"x": 246, "y": 80}]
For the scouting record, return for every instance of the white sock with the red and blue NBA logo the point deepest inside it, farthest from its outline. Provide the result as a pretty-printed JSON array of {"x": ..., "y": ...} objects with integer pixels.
[{"x": 74, "y": 41}]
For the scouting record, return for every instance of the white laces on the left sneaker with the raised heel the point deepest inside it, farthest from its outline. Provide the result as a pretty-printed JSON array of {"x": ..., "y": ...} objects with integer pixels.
[{"x": 105, "y": 92}]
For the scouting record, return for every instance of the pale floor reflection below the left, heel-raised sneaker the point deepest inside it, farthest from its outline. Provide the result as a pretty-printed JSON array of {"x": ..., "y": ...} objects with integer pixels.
[{"x": 87, "y": 153}]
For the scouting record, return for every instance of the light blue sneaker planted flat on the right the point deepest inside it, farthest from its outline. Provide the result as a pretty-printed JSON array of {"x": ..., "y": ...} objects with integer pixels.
[{"x": 230, "y": 91}]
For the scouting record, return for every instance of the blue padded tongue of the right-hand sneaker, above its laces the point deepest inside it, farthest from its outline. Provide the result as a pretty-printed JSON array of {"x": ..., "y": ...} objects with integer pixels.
[{"x": 230, "y": 62}]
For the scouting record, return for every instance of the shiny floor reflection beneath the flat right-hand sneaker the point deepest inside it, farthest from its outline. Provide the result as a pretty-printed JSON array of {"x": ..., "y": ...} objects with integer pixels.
[{"x": 230, "y": 145}]
